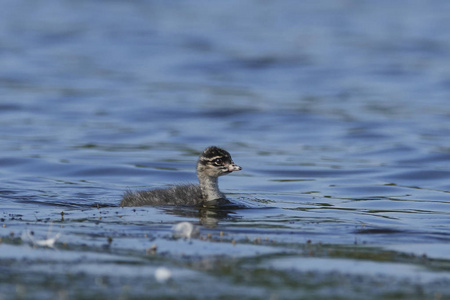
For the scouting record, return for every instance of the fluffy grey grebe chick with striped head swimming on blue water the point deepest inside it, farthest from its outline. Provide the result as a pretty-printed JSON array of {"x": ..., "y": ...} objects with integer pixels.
[{"x": 212, "y": 163}]
